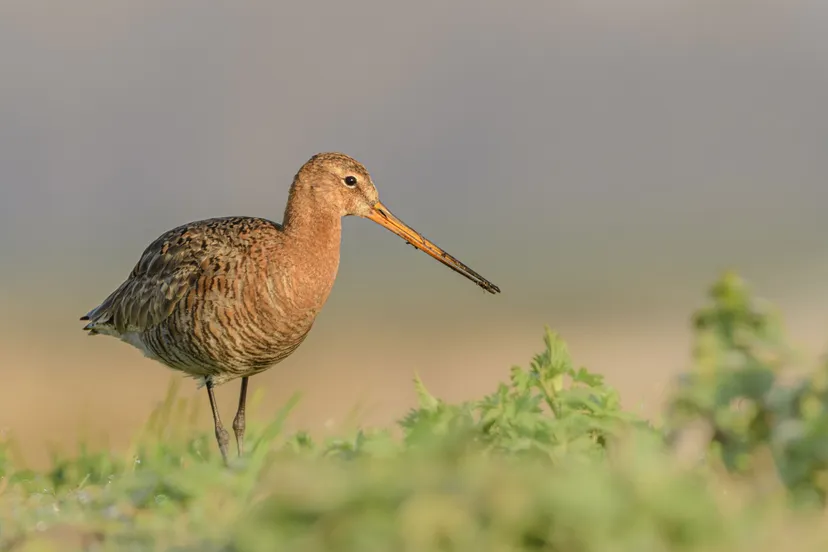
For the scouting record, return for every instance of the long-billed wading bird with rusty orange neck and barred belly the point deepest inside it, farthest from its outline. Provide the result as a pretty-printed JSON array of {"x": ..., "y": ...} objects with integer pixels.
[{"x": 230, "y": 297}]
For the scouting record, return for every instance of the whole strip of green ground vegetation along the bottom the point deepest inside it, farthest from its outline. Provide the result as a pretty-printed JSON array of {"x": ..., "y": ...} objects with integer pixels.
[{"x": 549, "y": 461}]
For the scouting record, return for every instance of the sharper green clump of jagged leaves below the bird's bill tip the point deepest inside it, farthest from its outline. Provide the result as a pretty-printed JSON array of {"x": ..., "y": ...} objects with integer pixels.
[{"x": 551, "y": 410}]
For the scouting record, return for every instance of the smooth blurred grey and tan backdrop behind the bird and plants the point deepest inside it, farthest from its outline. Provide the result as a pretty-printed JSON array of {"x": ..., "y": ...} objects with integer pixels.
[{"x": 601, "y": 161}]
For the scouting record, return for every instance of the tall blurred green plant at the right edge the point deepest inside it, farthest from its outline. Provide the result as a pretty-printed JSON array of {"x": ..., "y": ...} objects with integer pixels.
[{"x": 737, "y": 389}]
